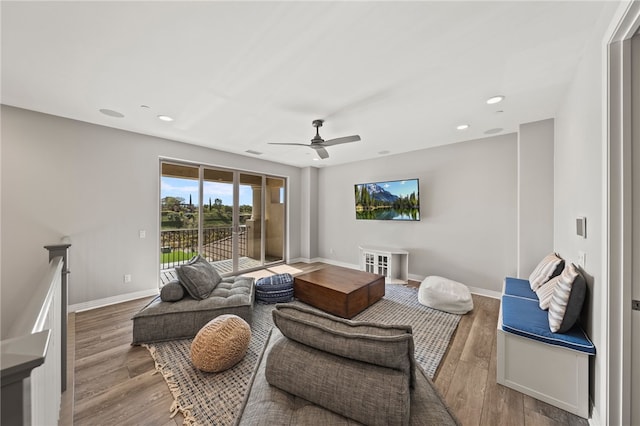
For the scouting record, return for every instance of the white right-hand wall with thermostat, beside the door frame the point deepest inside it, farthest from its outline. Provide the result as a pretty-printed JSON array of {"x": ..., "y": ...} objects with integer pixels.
[{"x": 578, "y": 191}]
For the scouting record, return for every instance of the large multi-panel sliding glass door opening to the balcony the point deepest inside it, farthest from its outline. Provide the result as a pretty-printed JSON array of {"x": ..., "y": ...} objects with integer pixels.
[{"x": 235, "y": 219}]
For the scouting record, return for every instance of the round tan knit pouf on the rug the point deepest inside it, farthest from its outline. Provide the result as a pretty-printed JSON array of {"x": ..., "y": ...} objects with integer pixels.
[{"x": 220, "y": 344}]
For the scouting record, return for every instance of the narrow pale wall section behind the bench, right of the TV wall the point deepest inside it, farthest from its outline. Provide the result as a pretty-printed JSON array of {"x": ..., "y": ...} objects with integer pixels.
[{"x": 535, "y": 194}]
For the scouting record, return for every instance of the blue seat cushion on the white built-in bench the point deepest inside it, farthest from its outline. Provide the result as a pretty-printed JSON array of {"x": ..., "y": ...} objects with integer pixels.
[{"x": 524, "y": 317}]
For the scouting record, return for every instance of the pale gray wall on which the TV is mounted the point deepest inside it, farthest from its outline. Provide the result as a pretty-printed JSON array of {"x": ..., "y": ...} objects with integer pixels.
[{"x": 467, "y": 230}]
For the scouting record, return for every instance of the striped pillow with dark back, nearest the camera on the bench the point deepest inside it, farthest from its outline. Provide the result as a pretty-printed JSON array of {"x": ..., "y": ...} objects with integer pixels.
[{"x": 567, "y": 300}]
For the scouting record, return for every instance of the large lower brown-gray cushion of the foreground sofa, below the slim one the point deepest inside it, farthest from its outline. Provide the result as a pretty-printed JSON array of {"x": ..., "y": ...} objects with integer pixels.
[{"x": 367, "y": 393}]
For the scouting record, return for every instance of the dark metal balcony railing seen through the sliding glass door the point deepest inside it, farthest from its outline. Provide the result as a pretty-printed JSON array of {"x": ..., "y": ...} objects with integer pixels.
[{"x": 177, "y": 246}]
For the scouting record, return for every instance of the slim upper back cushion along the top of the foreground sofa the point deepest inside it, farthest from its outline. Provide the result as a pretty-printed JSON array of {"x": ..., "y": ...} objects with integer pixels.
[{"x": 384, "y": 345}]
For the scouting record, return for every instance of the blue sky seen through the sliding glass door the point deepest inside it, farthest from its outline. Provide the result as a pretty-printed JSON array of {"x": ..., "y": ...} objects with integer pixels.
[{"x": 183, "y": 188}]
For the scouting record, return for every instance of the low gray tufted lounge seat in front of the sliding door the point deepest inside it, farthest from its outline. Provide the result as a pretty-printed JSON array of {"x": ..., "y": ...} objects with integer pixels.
[{"x": 161, "y": 321}]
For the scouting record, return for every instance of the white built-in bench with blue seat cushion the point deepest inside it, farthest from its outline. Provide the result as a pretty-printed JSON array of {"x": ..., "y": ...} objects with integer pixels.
[{"x": 552, "y": 367}]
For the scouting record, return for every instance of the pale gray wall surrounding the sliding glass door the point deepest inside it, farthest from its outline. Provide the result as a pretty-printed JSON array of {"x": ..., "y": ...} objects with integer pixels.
[{"x": 98, "y": 186}]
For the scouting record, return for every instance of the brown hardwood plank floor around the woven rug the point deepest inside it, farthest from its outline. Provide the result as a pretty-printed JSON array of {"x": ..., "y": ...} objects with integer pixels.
[{"x": 116, "y": 383}]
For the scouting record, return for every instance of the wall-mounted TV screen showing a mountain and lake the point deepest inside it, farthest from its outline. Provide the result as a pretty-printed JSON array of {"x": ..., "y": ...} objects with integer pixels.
[{"x": 390, "y": 200}]
